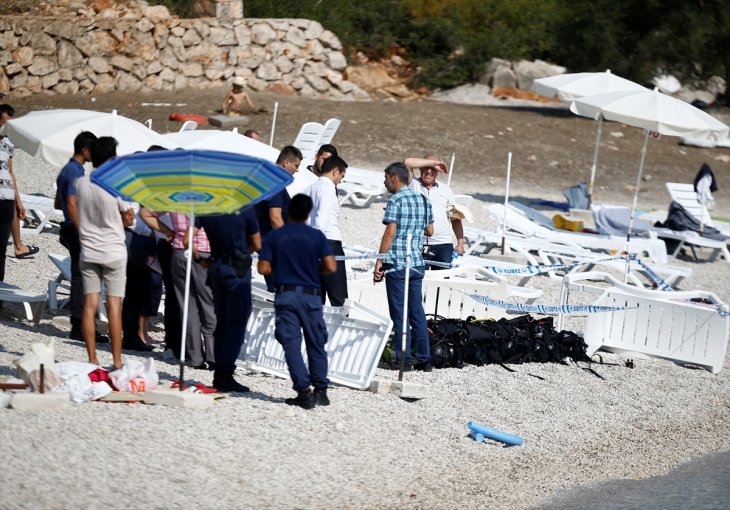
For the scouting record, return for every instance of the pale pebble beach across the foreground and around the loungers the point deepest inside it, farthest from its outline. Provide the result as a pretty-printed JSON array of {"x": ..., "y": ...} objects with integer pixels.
[{"x": 365, "y": 450}]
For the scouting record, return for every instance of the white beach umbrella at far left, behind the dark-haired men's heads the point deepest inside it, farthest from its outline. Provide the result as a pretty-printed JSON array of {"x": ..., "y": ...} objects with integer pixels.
[{"x": 50, "y": 134}]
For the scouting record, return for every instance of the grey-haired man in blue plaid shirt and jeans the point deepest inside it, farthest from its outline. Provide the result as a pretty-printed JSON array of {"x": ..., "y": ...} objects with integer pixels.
[{"x": 407, "y": 212}]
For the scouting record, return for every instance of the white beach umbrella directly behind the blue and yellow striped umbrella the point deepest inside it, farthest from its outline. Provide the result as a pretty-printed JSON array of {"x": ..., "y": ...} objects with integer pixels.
[{"x": 233, "y": 141}]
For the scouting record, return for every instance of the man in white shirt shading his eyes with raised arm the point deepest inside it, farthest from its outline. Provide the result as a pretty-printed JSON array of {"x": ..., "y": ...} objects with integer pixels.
[{"x": 440, "y": 246}]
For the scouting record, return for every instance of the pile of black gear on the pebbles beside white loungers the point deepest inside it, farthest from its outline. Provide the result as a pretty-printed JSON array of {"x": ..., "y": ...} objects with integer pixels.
[{"x": 524, "y": 339}]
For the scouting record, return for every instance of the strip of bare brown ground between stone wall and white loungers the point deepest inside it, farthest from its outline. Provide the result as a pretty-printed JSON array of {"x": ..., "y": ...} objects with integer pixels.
[{"x": 552, "y": 148}]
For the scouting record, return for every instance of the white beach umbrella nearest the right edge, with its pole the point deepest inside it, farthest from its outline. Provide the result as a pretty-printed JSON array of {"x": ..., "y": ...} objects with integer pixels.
[{"x": 657, "y": 114}]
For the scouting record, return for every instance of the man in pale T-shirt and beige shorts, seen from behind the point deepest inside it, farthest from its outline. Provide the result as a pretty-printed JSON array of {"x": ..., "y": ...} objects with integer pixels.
[{"x": 102, "y": 219}]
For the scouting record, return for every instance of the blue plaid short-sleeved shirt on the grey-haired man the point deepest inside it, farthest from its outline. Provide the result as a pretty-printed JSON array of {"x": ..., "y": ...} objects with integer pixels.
[{"x": 412, "y": 213}]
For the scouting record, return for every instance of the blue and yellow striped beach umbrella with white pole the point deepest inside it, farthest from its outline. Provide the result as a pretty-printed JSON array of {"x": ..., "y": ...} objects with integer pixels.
[{"x": 195, "y": 182}]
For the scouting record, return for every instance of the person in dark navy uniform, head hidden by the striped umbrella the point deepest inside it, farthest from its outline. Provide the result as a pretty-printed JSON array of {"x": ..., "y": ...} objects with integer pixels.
[{"x": 233, "y": 237}]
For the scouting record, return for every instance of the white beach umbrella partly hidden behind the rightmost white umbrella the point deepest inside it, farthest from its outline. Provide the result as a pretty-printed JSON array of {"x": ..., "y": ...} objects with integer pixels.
[{"x": 568, "y": 87}]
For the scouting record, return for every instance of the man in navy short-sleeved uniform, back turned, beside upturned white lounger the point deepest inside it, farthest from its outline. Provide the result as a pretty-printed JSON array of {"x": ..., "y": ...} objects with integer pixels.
[{"x": 298, "y": 254}]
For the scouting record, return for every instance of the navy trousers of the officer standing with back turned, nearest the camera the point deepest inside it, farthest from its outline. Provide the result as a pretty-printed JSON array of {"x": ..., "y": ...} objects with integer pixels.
[{"x": 297, "y": 312}]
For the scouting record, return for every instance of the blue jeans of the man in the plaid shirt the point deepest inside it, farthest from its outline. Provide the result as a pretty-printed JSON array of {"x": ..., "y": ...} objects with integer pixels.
[{"x": 418, "y": 331}]
